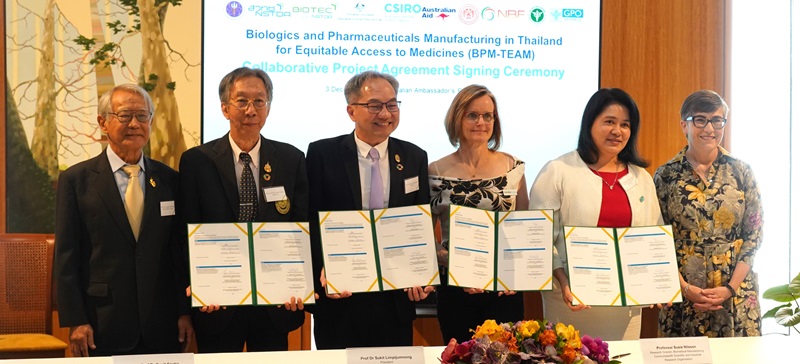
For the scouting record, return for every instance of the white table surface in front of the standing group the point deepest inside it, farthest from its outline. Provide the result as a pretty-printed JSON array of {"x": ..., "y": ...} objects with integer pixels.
[{"x": 773, "y": 348}]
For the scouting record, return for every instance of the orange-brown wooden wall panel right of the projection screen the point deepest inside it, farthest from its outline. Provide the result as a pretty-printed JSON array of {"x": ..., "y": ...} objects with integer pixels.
[{"x": 660, "y": 51}]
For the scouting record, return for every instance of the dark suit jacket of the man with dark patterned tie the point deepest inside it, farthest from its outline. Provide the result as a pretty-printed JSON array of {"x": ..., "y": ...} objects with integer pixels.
[{"x": 209, "y": 193}]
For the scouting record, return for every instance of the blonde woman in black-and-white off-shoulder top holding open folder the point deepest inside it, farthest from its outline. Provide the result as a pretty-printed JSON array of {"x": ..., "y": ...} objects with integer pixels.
[{"x": 475, "y": 175}]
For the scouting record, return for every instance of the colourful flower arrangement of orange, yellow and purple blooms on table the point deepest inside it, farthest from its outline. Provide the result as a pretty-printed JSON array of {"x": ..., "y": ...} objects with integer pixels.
[{"x": 524, "y": 342}]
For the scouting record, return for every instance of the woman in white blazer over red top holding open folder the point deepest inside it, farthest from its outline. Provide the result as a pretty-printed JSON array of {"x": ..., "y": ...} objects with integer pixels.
[{"x": 602, "y": 183}]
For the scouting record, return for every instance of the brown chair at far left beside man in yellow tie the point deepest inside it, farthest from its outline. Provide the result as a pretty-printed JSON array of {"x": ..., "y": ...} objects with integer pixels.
[{"x": 26, "y": 263}]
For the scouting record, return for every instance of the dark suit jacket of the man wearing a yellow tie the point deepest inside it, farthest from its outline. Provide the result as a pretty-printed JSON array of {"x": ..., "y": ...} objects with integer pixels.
[{"x": 125, "y": 289}]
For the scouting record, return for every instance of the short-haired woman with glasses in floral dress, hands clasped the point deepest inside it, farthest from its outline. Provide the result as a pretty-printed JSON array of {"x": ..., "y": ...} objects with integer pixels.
[{"x": 713, "y": 203}]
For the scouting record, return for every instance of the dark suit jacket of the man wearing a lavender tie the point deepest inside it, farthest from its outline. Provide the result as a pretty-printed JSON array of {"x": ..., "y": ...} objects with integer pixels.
[{"x": 336, "y": 186}]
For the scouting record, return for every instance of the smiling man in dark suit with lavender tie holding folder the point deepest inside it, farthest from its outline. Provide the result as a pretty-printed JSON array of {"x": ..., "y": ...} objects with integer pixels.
[{"x": 365, "y": 169}]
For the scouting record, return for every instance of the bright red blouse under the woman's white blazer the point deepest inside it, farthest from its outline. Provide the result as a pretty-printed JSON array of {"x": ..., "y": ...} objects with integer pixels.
[{"x": 615, "y": 209}]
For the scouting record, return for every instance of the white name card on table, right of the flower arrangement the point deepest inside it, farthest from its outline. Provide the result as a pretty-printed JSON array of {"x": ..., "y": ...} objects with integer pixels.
[{"x": 688, "y": 350}]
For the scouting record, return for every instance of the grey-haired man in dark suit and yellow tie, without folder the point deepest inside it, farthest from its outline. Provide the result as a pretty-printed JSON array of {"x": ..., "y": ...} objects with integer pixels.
[{"x": 119, "y": 267}]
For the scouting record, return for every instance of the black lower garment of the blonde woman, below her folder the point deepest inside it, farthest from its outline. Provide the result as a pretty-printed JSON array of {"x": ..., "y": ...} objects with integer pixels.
[{"x": 458, "y": 311}]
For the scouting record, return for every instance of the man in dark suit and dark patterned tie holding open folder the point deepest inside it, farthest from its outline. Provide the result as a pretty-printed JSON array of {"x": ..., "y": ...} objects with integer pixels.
[{"x": 243, "y": 176}]
